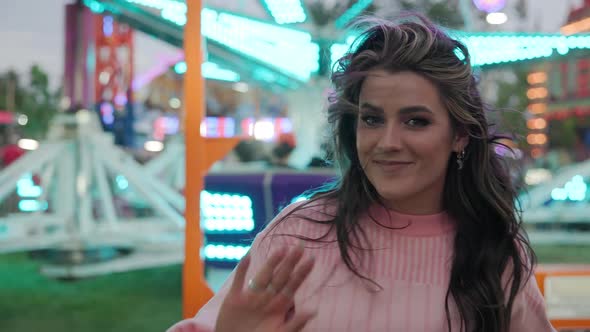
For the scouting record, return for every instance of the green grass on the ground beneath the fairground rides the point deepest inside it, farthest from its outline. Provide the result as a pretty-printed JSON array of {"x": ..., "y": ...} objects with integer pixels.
[{"x": 142, "y": 301}]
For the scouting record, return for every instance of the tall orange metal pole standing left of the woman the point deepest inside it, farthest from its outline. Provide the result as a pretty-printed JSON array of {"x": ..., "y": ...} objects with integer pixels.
[{"x": 195, "y": 292}]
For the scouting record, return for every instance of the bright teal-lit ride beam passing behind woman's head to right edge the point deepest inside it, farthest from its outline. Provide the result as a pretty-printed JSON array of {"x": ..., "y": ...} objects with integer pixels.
[{"x": 494, "y": 49}]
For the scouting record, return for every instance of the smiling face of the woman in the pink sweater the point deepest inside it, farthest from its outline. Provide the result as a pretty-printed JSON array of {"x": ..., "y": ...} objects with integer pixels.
[{"x": 404, "y": 140}]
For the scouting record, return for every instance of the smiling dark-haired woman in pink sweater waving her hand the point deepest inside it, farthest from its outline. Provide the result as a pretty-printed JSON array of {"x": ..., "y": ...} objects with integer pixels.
[{"x": 419, "y": 234}]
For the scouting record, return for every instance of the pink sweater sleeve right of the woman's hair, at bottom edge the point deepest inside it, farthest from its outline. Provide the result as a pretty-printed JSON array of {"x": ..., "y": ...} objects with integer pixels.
[{"x": 529, "y": 312}]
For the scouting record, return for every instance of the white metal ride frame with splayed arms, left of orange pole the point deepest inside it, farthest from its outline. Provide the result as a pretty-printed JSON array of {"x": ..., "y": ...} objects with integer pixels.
[{"x": 77, "y": 166}]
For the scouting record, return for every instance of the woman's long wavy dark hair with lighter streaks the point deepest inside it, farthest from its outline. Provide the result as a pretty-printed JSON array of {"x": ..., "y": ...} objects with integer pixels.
[{"x": 490, "y": 242}]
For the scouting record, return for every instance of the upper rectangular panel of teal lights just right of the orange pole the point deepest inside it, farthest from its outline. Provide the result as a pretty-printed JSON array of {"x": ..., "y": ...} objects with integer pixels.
[{"x": 226, "y": 213}]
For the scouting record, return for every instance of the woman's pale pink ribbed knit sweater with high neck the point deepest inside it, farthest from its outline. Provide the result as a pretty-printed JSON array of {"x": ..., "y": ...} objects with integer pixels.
[{"x": 412, "y": 265}]
